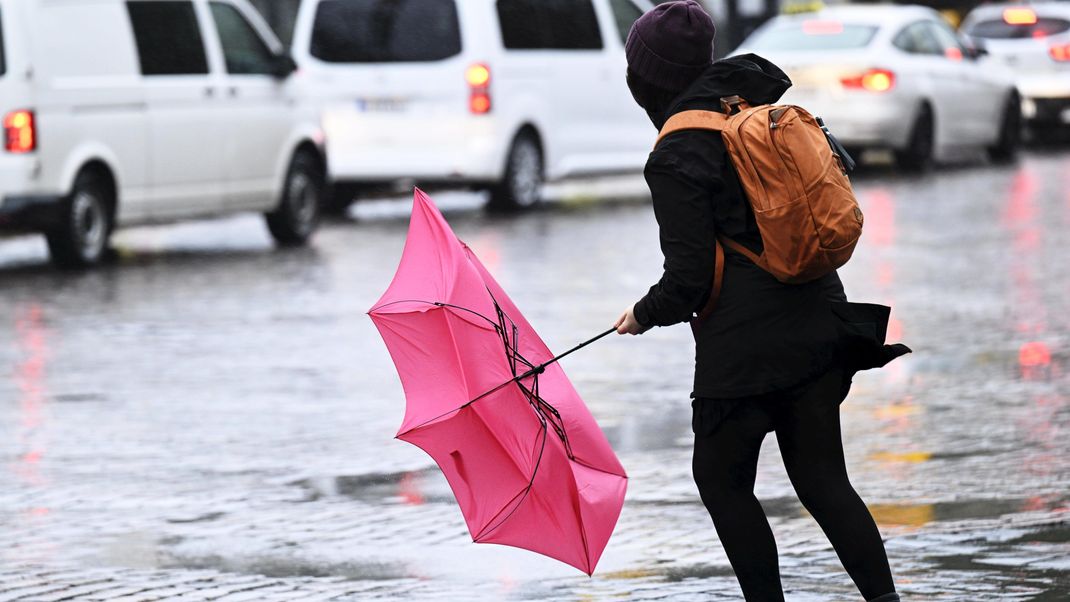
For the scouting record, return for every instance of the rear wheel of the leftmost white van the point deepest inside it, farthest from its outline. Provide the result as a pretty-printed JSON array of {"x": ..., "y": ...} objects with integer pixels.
[{"x": 82, "y": 238}]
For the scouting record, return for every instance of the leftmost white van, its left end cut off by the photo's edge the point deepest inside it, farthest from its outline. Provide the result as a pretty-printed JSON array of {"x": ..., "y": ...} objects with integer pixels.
[{"x": 139, "y": 112}]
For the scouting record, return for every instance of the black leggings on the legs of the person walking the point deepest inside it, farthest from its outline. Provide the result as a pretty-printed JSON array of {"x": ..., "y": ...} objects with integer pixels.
[{"x": 807, "y": 424}]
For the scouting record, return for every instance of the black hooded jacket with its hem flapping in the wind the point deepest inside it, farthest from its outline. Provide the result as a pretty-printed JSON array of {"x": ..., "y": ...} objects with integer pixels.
[{"x": 763, "y": 336}]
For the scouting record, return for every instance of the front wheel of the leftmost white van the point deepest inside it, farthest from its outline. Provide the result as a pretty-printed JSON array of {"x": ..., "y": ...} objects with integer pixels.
[{"x": 298, "y": 214}]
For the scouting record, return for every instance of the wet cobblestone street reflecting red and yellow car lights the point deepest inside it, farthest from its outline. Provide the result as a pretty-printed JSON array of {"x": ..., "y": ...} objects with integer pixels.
[{"x": 208, "y": 419}]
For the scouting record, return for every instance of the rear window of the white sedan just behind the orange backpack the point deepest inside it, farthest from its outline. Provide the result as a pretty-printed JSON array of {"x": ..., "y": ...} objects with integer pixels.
[{"x": 814, "y": 35}]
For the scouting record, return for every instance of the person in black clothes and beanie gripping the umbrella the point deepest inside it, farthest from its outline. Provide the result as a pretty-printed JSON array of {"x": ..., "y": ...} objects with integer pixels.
[{"x": 772, "y": 357}]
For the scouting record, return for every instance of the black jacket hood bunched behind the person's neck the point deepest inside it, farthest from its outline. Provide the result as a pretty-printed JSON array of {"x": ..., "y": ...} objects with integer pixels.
[{"x": 754, "y": 79}]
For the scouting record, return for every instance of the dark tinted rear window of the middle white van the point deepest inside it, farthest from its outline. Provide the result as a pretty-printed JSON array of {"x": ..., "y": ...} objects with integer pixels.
[{"x": 386, "y": 32}]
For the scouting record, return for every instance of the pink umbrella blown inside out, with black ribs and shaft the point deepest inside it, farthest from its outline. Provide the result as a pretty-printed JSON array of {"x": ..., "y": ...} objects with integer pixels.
[{"x": 486, "y": 399}]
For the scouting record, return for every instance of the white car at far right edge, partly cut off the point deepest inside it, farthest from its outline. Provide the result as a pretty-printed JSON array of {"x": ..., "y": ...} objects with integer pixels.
[{"x": 1034, "y": 41}]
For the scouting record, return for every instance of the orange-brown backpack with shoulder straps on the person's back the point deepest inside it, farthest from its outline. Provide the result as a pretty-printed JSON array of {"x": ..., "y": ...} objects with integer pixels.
[{"x": 798, "y": 188}]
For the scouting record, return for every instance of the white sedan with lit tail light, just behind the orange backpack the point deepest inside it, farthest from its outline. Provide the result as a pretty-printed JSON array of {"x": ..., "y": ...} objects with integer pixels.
[{"x": 894, "y": 78}]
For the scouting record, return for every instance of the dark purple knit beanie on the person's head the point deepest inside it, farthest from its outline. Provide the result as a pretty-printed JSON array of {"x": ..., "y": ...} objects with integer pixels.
[{"x": 671, "y": 45}]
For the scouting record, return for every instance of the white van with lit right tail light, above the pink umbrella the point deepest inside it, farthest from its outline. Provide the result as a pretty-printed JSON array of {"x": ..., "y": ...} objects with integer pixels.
[{"x": 498, "y": 95}]
